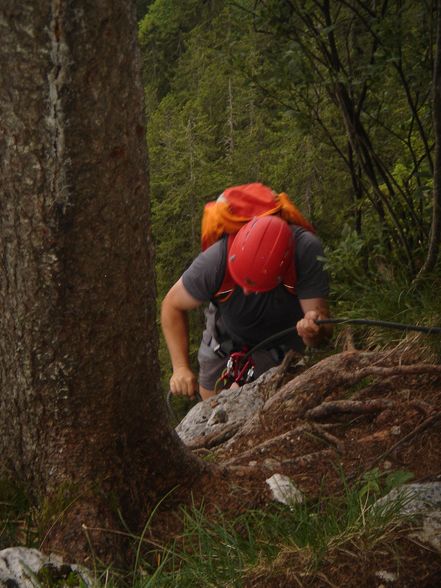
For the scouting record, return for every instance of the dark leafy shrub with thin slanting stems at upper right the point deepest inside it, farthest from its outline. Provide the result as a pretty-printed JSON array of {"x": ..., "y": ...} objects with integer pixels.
[{"x": 352, "y": 74}]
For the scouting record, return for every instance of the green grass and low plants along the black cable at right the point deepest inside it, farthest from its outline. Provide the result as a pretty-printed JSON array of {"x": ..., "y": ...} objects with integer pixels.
[{"x": 373, "y": 287}]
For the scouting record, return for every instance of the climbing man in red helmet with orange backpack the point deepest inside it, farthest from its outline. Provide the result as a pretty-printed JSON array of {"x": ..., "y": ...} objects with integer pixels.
[{"x": 261, "y": 272}]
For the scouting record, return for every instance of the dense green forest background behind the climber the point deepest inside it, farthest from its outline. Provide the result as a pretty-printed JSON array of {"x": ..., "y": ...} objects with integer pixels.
[{"x": 331, "y": 102}]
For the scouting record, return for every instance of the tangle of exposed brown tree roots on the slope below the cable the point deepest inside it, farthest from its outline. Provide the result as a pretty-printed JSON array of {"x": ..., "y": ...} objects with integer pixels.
[{"x": 258, "y": 448}]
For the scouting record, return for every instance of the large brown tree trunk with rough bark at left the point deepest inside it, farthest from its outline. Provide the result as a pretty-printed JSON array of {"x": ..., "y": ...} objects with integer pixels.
[{"x": 80, "y": 403}]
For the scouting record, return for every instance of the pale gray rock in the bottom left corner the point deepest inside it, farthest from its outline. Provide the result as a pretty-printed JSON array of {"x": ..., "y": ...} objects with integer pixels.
[{"x": 21, "y": 567}]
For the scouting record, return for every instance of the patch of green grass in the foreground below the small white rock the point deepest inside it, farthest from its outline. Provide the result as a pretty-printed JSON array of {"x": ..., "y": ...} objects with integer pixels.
[{"x": 220, "y": 551}]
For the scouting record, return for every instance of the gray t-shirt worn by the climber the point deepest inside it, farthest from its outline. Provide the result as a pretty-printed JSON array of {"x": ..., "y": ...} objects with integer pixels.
[{"x": 251, "y": 319}]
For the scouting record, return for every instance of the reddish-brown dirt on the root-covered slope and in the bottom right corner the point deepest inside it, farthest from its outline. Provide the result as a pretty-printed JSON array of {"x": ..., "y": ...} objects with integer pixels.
[{"x": 352, "y": 415}]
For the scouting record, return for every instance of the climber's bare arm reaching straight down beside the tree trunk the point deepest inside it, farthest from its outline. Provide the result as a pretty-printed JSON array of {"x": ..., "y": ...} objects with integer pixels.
[{"x": 174, "y": 322}]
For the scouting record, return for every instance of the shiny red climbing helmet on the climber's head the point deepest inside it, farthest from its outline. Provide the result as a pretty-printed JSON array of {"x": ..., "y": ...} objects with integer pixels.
[{"x": 261, "y": 253}]
